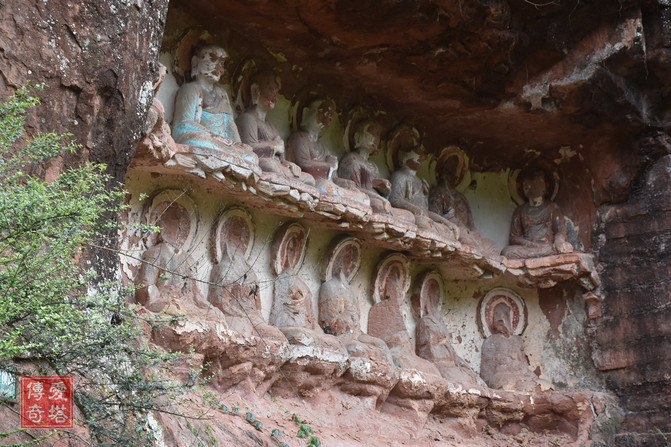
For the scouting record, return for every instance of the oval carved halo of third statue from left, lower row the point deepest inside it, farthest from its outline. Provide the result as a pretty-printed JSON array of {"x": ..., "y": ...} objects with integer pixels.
[{"x": 290, "y": 235}]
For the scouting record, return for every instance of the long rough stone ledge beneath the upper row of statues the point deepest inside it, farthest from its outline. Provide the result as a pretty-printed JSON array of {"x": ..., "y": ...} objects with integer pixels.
[{"x": 331, "y": 207}]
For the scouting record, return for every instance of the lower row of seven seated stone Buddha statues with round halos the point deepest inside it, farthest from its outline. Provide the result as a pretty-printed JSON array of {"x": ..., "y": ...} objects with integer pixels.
[{"x": 167, "y": 283}]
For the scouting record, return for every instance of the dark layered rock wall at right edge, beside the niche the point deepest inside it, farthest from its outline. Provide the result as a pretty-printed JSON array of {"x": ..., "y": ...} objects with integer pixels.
[{"x": 634, "y": 335}]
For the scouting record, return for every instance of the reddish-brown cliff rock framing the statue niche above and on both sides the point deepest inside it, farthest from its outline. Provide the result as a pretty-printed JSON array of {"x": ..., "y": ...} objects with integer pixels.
[{"x": 583, "y": 84}]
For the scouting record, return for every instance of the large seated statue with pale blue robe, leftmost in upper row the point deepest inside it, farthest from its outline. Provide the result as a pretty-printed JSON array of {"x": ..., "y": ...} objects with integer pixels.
[{"x": 203, "y": 115}]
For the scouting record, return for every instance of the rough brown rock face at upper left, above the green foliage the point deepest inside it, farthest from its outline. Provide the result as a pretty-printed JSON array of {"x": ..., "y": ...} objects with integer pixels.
[{"x": 98, "y": 61}]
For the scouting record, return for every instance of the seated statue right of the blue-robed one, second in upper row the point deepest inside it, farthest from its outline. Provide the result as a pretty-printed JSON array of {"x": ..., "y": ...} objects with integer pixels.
[{"x": 256, "y": 131}]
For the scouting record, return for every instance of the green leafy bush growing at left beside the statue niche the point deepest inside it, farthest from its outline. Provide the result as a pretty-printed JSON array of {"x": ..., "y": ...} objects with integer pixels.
[{"x": 51, "y": 318}]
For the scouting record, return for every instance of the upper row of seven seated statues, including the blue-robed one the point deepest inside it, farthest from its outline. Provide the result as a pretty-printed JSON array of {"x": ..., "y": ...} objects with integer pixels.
[{"x": 204, "y": 118}]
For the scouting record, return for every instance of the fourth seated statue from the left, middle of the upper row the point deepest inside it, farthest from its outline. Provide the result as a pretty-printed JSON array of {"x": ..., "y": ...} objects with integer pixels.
[{"x": 356, "y": 170}]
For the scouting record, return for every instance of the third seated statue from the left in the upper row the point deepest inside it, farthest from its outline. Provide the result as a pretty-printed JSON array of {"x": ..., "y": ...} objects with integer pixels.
[{"x": 304, "y": 147}]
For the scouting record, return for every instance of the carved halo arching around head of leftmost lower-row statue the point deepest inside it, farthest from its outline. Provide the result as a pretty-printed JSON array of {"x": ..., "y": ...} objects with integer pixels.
[{"x": 161, "y": 201}]
